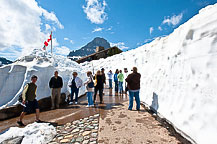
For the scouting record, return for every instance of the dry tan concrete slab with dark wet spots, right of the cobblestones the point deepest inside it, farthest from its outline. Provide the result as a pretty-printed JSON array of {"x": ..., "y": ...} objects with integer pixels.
[{"x": 132, "y": 127}]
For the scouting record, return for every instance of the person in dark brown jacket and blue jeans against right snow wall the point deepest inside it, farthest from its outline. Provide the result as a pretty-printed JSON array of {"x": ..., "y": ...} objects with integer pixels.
[{"x": 133, "y": 83}]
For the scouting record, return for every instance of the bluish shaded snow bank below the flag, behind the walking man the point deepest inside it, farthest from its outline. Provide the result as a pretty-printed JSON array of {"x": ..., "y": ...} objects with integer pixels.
[{"x": 14, "y": 77}]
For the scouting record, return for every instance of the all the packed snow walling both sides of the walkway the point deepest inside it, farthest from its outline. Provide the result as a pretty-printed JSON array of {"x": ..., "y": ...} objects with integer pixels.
[{"x": 179, "y": 75}]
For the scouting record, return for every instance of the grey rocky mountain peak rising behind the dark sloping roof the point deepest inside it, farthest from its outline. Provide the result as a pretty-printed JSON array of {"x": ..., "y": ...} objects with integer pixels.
[{"x": 90, "y": 47}]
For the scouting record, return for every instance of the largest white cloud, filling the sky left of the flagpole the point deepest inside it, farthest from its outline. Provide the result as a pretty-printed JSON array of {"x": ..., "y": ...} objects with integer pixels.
[{"x": 20, "y": 26}]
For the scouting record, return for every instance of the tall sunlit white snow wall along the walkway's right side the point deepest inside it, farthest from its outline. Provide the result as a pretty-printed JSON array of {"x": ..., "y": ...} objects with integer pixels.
[{"x": 181, "y": 69}]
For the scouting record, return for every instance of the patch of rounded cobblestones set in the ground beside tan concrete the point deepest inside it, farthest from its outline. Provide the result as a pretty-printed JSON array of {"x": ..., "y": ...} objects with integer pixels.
[{"x": 83, "y": 131}]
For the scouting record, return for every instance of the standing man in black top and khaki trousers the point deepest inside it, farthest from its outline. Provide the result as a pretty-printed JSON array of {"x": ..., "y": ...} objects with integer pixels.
[{"x": 56, "y": 83}]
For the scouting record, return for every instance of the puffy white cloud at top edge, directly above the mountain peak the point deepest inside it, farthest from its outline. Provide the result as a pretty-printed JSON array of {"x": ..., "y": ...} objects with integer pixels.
[{"x": 95, "y": 11}]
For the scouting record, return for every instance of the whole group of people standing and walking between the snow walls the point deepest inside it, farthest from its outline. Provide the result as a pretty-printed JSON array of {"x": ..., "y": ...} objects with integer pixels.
[{"x": 94, "y": 84}]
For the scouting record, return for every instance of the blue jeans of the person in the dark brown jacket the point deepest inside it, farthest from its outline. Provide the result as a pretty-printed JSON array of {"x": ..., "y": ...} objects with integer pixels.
[{"x": 136, "y": 95}]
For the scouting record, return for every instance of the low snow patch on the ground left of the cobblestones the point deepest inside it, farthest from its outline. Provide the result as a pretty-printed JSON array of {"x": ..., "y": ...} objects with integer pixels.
[{"x": 33, "y": 133}]
